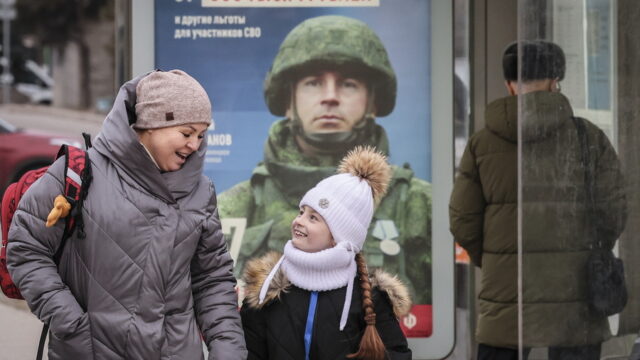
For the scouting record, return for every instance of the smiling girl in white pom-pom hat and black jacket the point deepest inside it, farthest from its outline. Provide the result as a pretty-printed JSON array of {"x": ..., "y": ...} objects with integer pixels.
[{"x": 303, "y": 304}]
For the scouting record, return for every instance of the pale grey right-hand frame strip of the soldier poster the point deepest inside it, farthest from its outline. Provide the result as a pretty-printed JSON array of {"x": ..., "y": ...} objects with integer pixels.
[{"x": 442, "y": 341}]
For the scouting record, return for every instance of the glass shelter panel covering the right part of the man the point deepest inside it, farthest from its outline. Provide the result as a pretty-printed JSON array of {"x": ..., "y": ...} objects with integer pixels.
[{"x": 576, "y": 178}]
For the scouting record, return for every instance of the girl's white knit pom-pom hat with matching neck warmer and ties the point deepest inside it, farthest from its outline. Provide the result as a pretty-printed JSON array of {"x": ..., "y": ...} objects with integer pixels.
[{"x": 346, "y": 201}]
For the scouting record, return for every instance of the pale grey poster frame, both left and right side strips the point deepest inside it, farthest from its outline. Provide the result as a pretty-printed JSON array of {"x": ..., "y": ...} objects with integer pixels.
[{"x": 442, "y": 341}]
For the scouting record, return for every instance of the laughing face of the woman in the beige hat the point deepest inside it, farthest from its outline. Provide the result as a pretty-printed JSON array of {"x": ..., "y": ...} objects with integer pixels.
[{"x": 171, "y": 146}]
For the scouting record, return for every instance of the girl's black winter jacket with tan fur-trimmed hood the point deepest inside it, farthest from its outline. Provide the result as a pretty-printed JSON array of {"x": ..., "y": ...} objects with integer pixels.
[{"x": 275, "y": 329}]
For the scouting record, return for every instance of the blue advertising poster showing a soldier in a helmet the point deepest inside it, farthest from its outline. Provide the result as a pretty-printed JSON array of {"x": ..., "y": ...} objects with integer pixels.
[{"x": 259, "y": 156}]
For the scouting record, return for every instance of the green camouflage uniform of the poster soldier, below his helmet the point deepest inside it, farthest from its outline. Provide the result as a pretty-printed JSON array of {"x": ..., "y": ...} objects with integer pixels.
[{"x": 269, "y": 202}]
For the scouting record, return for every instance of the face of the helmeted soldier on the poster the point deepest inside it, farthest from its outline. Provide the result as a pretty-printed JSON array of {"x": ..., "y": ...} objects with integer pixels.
[{"x": 329, "y": 101}]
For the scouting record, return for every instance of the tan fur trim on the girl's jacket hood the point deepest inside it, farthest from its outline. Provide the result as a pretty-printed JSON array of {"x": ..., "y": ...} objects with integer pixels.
[{"x": 257, "y": 270}]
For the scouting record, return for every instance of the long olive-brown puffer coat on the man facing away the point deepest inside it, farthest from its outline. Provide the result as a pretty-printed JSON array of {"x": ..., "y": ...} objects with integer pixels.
[{"x": 556, "y": 232}]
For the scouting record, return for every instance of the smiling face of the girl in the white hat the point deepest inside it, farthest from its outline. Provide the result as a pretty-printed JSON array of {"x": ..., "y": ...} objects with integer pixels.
[{"x": 309, "y": 231}]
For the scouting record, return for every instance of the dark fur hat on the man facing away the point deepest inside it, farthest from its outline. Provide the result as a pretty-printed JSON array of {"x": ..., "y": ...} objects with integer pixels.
[{"x": 540, "y": 60}]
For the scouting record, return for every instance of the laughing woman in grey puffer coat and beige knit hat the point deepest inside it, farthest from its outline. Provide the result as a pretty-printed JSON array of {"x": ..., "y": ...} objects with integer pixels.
[{"x": 152, "y": 277}]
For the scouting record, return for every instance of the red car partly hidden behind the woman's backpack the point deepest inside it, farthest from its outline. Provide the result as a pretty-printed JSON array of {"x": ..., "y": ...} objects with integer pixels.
[{"x": 23, "y": 150}]
